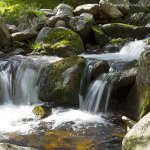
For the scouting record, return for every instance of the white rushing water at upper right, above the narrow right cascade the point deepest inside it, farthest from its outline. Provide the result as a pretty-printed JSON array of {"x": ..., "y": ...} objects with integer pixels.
[{"x": 129, "y": 52}]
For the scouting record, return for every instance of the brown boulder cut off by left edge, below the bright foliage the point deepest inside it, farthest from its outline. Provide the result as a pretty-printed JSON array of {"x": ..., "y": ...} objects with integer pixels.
[{"x": 4, "y": 34}]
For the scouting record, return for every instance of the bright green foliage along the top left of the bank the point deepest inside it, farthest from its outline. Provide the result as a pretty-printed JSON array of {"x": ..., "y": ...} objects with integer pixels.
[{"x": 13, "y": 10}]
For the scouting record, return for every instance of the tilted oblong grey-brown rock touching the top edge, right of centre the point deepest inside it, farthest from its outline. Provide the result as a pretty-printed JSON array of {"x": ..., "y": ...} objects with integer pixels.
[{"x": 110, "y": 9}]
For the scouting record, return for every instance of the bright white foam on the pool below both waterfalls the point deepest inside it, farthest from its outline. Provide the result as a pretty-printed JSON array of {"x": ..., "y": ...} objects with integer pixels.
[{"x": 21, "y": 119}]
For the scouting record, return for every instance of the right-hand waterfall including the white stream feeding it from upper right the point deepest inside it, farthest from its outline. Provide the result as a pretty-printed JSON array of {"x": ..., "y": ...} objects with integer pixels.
[{"x": 95, "y": 98}]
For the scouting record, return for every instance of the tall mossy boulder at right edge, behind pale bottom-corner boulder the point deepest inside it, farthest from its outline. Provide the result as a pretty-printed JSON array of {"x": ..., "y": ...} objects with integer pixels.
[{"x": 143, "y": 80}]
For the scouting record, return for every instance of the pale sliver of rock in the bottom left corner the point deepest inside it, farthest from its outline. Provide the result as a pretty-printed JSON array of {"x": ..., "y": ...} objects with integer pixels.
[{"x": 6, "y": 146}]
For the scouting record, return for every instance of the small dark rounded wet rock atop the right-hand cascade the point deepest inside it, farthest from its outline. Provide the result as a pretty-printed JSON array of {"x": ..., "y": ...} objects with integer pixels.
[{"x": 99, "y": 68}]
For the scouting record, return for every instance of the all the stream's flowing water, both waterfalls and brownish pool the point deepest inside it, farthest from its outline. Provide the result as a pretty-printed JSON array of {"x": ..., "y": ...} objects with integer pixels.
[{"x": 20, "y": 78}]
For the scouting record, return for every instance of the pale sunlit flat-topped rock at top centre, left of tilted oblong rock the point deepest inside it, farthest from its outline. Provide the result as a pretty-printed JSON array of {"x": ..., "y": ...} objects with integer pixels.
[{"x": 93, "y": 9}]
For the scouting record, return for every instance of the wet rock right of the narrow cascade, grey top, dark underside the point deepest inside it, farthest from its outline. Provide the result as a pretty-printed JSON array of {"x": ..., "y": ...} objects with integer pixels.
[{"x": 128, "y": 77}]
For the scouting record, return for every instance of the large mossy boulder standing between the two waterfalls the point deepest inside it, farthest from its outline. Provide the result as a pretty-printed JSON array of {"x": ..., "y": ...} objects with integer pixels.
[{"x": 61, "y": 83}]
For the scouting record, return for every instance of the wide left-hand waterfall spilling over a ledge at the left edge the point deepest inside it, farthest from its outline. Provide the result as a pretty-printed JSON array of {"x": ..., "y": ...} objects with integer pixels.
[{"x": 20, "y": 78}]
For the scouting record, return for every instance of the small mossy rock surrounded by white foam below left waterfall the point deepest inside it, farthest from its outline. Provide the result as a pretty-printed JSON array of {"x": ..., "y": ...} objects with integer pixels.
[{"x": 42, "y": 111}]
